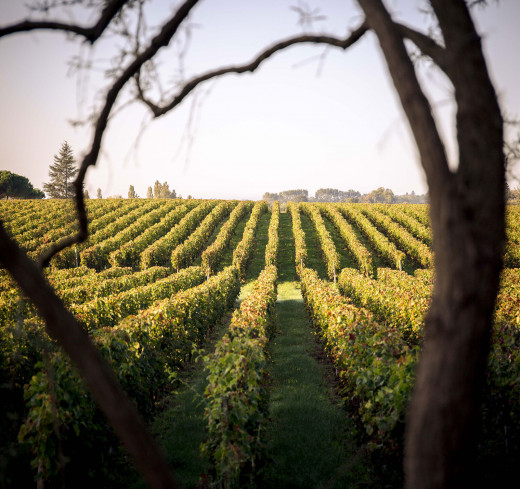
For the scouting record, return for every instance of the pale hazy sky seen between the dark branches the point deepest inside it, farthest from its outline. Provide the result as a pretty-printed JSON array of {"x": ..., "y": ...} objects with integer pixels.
[{"x": 309, "y": 118}]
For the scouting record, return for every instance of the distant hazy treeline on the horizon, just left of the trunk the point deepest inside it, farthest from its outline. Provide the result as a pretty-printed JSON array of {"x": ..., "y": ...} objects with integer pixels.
[{"x": 381, "y": 195}]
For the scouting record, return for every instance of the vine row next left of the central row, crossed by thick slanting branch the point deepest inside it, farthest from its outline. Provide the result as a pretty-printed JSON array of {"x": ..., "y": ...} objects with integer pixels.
[{"x": 146, "y": 352}]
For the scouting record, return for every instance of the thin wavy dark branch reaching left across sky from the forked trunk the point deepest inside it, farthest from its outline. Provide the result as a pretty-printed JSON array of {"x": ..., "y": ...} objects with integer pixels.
[{"x": 158, "y": 111}]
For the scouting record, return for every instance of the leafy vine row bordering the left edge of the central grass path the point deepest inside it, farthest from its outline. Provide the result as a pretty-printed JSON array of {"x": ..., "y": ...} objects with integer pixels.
[{"x": 237, "y": 395}]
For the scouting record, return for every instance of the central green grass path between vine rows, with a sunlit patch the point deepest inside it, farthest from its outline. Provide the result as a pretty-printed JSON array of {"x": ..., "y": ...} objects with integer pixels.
[{"x": 310, "y": 440}]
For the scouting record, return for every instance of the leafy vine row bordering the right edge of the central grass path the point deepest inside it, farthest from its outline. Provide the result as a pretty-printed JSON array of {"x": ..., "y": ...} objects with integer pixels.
[{"x": 374, "y": 362}]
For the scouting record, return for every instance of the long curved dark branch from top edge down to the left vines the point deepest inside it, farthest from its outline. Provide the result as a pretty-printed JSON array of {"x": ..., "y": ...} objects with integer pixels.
[{"x": 160, "y": 40}]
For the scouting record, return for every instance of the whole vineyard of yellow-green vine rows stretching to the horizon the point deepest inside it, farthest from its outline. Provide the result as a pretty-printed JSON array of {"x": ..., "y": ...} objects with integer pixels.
[{"x": 158, "y": 279}]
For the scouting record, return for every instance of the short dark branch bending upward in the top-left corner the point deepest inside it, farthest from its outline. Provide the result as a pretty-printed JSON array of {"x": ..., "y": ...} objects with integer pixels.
[{"x": 91, "y": 34}]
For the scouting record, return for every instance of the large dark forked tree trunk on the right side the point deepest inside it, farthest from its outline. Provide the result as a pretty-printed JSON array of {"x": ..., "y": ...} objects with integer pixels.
[{"x": 467, "y": 213}]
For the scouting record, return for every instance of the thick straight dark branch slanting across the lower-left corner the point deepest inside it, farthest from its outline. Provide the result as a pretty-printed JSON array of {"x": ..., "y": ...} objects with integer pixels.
[{"x": 64, "y": 328}]
